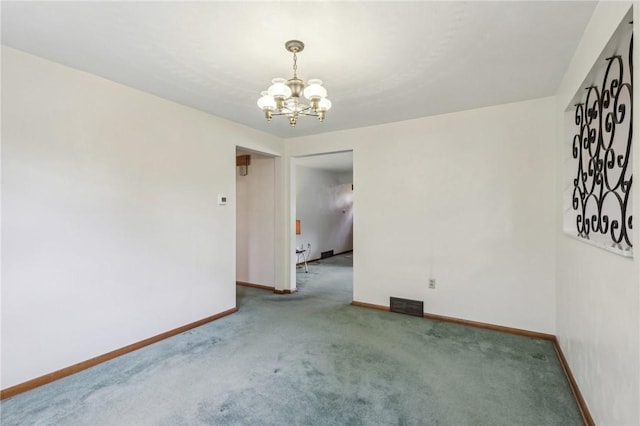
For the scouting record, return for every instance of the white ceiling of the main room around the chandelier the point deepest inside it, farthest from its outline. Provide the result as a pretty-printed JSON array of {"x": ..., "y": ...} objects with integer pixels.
[{"x": 380, "y": 61}]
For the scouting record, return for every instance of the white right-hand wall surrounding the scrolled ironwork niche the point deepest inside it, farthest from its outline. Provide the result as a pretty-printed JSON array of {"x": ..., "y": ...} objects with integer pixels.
[{"x": 598, "y": 306}]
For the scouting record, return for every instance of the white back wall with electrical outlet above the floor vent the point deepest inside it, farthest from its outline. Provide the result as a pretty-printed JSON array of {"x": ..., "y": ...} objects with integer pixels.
[{"x": 467, "y": 197}]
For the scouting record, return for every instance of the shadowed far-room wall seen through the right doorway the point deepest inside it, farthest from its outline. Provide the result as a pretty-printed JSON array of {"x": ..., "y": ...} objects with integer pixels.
[{"x": 324, "y": 205}]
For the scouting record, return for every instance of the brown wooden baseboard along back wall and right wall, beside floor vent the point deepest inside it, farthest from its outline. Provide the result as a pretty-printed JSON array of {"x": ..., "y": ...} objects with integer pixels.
[{"x": 582, "y": 405}]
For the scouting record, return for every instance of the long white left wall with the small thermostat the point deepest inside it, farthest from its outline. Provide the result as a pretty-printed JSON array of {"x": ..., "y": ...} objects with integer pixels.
[{"x": 111, "y": 228}]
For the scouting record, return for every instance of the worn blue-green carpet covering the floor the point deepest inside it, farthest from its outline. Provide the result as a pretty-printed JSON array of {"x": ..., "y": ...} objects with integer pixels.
[{"x": 313, "y": 359}]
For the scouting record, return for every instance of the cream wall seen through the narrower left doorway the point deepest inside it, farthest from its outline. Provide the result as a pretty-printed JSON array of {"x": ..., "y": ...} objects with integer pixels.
[{"x": 255, "y": 236}]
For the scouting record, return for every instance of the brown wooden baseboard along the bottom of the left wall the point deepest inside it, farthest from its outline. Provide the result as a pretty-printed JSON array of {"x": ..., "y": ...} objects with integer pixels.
[{"x": 67, "y": 371}]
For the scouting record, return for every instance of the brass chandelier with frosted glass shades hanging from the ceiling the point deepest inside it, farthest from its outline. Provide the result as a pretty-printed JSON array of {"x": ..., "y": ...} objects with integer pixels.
[{"x": 283, "y": 96}]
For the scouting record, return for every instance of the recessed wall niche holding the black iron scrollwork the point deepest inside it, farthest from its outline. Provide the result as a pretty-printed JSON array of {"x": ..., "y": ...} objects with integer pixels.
[{"x": 598, "y": 155}]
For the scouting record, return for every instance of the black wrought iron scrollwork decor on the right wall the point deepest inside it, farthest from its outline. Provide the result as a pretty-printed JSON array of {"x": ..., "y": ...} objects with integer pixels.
[{"x": 601, "y": 147}]
